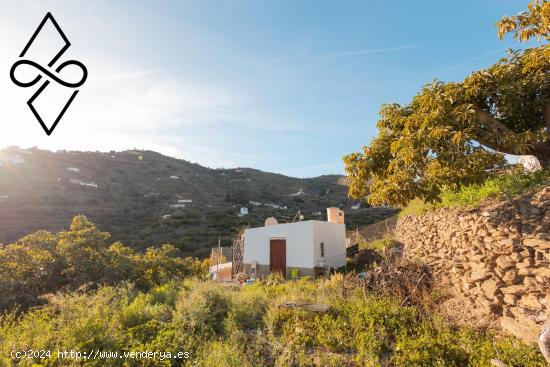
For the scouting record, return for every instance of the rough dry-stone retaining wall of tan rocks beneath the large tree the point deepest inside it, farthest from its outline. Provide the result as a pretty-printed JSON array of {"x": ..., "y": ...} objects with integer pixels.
[{"x": 495, "y": 257}]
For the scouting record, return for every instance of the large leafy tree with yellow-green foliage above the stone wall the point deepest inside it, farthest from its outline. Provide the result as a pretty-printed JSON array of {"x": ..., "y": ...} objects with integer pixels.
[{"x": 453, "y": 133}]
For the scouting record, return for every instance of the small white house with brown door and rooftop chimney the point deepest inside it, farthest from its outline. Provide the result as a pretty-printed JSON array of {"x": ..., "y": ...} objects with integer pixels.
[{"x": 303, "y": 246}]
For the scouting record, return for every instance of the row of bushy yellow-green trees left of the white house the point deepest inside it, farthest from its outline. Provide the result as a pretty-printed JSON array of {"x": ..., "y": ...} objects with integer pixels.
[{"x": 81, "y": 258}]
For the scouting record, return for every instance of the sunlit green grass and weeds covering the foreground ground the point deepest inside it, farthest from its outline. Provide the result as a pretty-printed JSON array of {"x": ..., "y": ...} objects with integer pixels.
[{"x": 223, "y": 326}]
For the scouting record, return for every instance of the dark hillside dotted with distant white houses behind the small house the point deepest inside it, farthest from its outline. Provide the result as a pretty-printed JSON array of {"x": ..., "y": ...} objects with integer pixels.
[{"x": 130, "y": 194}]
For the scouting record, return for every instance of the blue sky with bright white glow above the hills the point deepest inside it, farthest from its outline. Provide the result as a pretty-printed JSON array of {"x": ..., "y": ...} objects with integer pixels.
[{"x": 282, "y": 86}]
